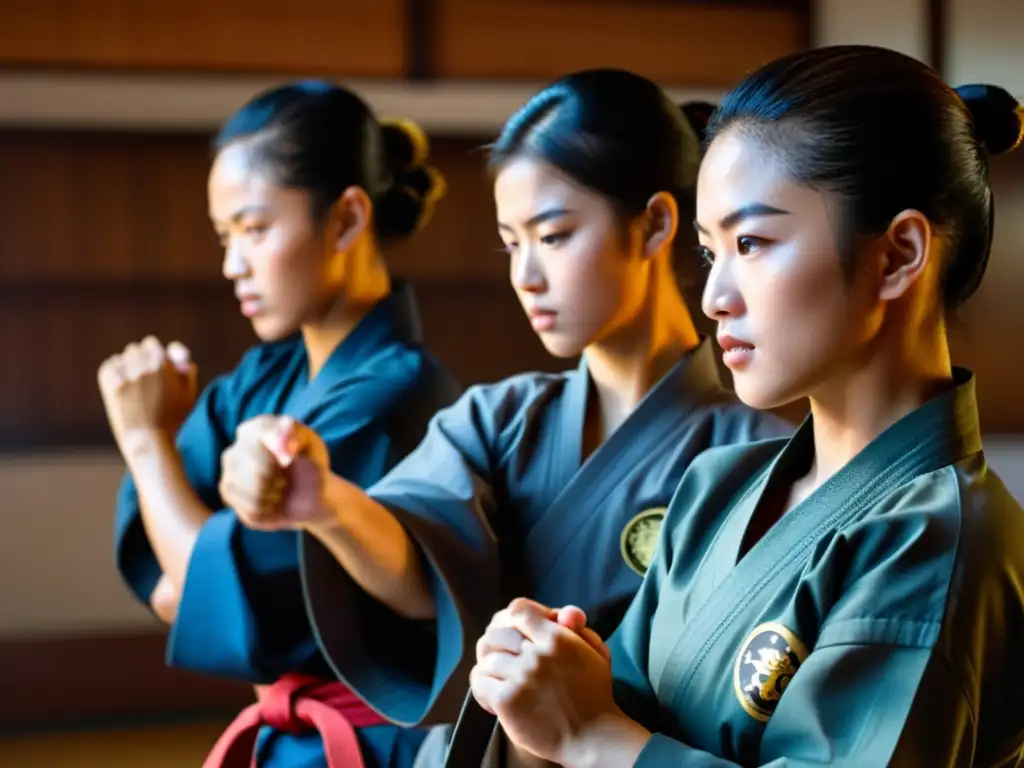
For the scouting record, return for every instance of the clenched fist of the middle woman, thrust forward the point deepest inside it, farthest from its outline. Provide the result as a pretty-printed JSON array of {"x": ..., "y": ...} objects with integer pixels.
[{"x": 275, "y": 475}]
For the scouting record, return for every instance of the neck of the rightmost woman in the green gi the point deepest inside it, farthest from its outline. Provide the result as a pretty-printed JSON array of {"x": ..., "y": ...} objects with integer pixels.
[{"x": 861, "y": 405}]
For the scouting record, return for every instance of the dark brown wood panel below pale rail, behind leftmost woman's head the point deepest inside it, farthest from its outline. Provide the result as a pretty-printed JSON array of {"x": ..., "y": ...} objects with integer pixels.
[{"x": 103, "y": 206}]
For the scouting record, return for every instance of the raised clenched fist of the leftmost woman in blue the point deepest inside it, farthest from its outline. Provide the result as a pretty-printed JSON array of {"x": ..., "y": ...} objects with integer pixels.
[{"x": 148, "y": 390}]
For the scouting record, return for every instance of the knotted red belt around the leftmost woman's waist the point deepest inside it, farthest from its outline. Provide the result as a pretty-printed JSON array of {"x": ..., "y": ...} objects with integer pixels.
[{"x": 296, "y": 704}]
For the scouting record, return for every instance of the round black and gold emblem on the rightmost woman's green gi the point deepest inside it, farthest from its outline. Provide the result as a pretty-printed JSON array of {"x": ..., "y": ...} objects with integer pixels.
[{"x": 765, "y": 666}]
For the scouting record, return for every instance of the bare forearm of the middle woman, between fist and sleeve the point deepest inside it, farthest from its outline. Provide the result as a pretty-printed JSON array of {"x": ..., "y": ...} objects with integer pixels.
[{"x": 376, "y": 551}]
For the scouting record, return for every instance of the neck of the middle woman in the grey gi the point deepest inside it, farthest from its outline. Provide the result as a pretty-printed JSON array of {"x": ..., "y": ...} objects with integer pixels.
[{"x": 626, "y": 366}]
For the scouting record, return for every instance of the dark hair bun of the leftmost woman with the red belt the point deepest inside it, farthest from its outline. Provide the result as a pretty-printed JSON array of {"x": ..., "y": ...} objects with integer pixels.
[{"x": 416, "y": 188}]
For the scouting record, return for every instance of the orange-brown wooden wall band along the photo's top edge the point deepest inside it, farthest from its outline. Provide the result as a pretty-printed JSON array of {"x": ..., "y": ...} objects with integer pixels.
[{"x": 692, "y": 42}]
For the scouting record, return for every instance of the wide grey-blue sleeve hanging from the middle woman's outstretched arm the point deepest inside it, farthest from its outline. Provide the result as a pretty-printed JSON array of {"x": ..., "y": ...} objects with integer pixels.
[{"x": 446, "y": 494}]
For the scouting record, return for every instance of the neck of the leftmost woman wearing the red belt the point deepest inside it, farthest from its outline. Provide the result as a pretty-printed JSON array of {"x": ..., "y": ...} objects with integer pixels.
[{"x": 365, "y": 284}]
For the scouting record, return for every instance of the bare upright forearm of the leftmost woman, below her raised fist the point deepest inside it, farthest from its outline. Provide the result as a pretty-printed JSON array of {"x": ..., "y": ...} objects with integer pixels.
[{"x": 173, "y": 514}]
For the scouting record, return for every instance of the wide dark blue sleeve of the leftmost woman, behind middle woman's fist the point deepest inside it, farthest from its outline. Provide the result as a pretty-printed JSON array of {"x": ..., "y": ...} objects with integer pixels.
[{"x": 242, "y": 613}]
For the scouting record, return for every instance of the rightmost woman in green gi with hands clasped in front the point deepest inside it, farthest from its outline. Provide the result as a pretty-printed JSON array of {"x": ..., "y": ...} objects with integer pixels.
[{"x": 854, "y": 596}]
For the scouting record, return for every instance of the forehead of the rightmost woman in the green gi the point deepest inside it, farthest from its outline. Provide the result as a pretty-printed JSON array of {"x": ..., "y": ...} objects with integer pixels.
[{"x": 738, "y": 172}]
